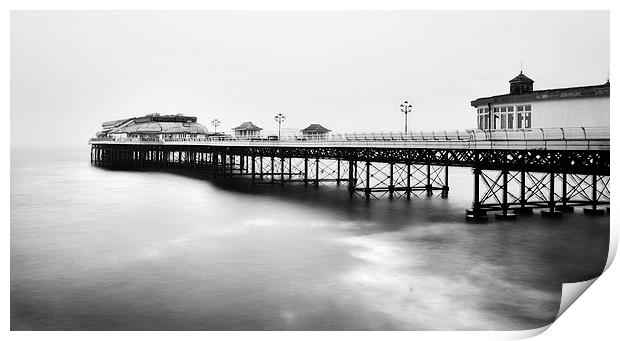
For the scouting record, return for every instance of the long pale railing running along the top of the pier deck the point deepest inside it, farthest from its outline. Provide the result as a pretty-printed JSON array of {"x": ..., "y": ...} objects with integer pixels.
[{"x": 578, "y": 138}]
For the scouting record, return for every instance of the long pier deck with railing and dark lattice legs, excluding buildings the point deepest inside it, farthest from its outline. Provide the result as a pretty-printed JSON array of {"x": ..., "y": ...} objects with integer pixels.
[{"x": 514, "y": 171}]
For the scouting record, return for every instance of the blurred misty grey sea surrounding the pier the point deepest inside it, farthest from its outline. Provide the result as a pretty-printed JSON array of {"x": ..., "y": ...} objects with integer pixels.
[{"x": 93, "y": 249}]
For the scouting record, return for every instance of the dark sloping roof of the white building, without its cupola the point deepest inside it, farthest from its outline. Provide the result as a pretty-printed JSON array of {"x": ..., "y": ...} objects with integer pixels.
[{"x": 544, "y": 95}]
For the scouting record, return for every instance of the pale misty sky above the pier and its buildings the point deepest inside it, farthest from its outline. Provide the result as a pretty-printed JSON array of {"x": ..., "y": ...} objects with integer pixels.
[{"x": 348, "y": 71}]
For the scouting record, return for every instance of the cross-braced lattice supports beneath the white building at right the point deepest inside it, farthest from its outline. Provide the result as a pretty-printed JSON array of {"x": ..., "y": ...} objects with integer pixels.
[{"x": 528, "y": 189}]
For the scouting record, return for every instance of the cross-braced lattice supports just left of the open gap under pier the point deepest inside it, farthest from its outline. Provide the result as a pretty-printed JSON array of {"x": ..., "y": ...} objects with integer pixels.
[{"x": 377, "y": 180}]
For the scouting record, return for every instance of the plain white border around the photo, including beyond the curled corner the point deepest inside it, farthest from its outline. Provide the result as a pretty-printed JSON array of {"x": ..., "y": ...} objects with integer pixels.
[{"x": 593, "y": 315}]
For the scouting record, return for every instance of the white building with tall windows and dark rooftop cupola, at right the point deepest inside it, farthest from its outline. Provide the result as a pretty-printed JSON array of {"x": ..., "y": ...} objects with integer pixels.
[{"x": 526, "y": 108}]
